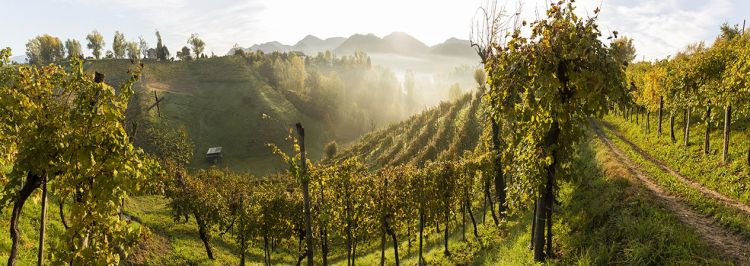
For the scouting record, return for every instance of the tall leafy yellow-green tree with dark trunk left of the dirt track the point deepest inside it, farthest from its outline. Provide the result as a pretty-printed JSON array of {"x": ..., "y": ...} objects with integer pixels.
[{"x": 564, "y": 75}]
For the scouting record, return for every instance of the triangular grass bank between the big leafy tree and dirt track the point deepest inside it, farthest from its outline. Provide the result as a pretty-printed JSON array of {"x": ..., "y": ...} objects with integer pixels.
[{"x": 608, "y": 220}]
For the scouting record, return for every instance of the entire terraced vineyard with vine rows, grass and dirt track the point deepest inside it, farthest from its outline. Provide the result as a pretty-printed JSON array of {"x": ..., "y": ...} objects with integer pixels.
[{"x": 562, "y": 155}]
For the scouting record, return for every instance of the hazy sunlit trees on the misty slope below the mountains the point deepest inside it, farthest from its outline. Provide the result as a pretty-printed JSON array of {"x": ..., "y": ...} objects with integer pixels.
[{"x": 347, "y": 93}]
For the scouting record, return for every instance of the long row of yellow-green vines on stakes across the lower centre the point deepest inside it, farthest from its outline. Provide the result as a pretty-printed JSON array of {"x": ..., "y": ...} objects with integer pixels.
[{"x": 347, "y": 202}]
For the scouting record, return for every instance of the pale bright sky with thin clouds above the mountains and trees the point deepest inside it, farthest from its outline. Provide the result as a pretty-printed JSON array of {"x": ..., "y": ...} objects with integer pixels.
[{"x": 659, "y": 27}]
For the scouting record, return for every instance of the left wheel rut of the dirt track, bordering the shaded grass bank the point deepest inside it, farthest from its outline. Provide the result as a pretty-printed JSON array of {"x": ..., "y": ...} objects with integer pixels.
[{"x": 731, "y": 244}]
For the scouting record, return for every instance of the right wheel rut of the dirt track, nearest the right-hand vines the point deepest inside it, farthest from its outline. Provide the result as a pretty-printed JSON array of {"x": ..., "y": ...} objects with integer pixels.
[{"x": 729, "y": 202}]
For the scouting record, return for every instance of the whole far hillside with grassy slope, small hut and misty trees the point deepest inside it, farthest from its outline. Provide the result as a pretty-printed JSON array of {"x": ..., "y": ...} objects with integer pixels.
[{"x": 229, "y": 102}]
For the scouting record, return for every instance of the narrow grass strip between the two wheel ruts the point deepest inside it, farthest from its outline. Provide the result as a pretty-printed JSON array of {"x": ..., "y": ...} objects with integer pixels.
[{"x": 732, "y": 219}]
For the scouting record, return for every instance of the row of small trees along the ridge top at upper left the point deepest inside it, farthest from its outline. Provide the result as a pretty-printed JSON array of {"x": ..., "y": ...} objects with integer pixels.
[{"x": 45, "y": 49}]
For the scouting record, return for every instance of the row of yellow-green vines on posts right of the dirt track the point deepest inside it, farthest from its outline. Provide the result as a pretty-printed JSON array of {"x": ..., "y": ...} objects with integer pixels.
[{"x": 700, "y": 77}]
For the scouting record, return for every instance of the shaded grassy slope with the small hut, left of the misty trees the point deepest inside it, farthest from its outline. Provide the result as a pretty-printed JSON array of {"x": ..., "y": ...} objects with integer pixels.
[{"x": 221, "y": 102}]
